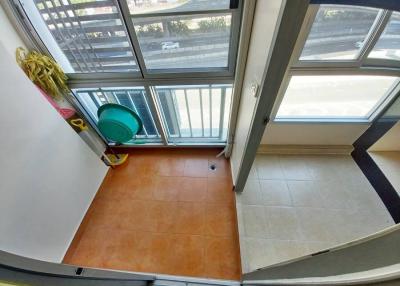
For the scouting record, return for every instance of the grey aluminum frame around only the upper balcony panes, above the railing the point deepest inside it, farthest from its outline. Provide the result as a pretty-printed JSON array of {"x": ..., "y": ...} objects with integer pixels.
[{"x": 143, "y": 73}]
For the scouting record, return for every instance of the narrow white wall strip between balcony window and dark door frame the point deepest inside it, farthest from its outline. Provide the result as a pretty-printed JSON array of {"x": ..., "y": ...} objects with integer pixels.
[{"x": 265, "y": 20}]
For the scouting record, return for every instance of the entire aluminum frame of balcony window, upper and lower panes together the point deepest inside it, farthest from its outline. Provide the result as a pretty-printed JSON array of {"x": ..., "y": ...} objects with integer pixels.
[{"x": 143, "y": 78}]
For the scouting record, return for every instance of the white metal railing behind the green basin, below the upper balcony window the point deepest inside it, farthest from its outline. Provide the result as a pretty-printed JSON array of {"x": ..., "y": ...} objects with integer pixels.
[{"x": 188, "y": 114}]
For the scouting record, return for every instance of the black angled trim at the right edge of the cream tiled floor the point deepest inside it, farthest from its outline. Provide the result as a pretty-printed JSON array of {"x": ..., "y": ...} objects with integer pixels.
[{"x": 374, "y": 174}]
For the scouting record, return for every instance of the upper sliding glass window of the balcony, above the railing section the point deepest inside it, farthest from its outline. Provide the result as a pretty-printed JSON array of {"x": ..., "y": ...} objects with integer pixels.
[{"x": 141, "y": 37}]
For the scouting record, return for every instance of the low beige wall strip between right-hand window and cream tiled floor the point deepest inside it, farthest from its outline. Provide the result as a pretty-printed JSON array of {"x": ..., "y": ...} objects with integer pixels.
[{"x": 312, "y": 134}]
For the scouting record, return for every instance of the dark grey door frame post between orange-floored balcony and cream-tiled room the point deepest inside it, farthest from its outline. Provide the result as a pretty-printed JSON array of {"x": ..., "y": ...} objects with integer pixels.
[{"x": 291, "y": 18}]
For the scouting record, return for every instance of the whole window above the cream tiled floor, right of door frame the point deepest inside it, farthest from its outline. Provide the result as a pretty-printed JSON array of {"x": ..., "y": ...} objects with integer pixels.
[{"x": 331, "y": 77}]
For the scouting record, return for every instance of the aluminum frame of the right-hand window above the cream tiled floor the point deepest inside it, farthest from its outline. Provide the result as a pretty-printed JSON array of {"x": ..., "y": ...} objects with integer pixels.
[{"x": 361, "y": 65}]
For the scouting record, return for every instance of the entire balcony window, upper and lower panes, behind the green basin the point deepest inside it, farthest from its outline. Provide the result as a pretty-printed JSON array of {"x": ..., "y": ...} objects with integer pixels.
[{"x": 170, "y": 61}]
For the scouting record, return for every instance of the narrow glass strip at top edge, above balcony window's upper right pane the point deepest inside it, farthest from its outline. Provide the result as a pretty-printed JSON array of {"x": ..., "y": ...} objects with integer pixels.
[{"x": 166, "y": 6}]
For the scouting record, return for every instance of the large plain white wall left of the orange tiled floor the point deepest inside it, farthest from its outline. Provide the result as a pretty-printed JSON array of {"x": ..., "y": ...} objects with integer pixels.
[{"x": 48, "y": 176}]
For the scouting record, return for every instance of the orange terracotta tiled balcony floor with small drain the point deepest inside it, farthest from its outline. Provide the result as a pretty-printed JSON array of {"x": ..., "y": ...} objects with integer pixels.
[{"x": 163, "y": 211}]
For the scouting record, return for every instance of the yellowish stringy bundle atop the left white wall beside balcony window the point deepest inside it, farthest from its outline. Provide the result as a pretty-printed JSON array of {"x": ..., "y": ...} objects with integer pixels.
[{"x": 43, "y": 71}]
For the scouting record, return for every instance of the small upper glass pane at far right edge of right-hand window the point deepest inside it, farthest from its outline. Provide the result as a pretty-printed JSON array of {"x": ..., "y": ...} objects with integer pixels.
[{"x": 388, "y": 45}]
